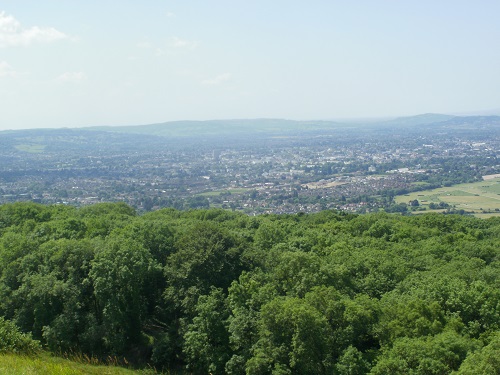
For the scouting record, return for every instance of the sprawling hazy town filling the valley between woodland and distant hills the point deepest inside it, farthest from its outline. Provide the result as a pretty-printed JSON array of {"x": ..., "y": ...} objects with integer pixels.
[{"x": 350, "y": 168}]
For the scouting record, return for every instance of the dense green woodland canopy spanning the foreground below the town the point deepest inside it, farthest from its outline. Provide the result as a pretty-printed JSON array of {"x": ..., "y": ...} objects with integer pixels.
[{"x": 212, "y": 291}]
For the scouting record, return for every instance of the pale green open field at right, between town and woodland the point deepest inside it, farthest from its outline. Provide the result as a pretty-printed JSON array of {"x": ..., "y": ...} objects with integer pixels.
[{"x": 476, "y": 197}]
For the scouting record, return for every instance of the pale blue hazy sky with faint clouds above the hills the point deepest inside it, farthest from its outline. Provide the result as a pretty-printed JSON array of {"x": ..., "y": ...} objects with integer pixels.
[{"x": 73, "y": 63}]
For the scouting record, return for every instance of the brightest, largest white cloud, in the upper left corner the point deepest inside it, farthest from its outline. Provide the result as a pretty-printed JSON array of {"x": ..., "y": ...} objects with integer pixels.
[{"x": 13, "y": 34}]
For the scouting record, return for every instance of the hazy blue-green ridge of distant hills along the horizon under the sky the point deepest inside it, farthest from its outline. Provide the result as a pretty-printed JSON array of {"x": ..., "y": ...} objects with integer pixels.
[{"x": 257, "y": 128}]
